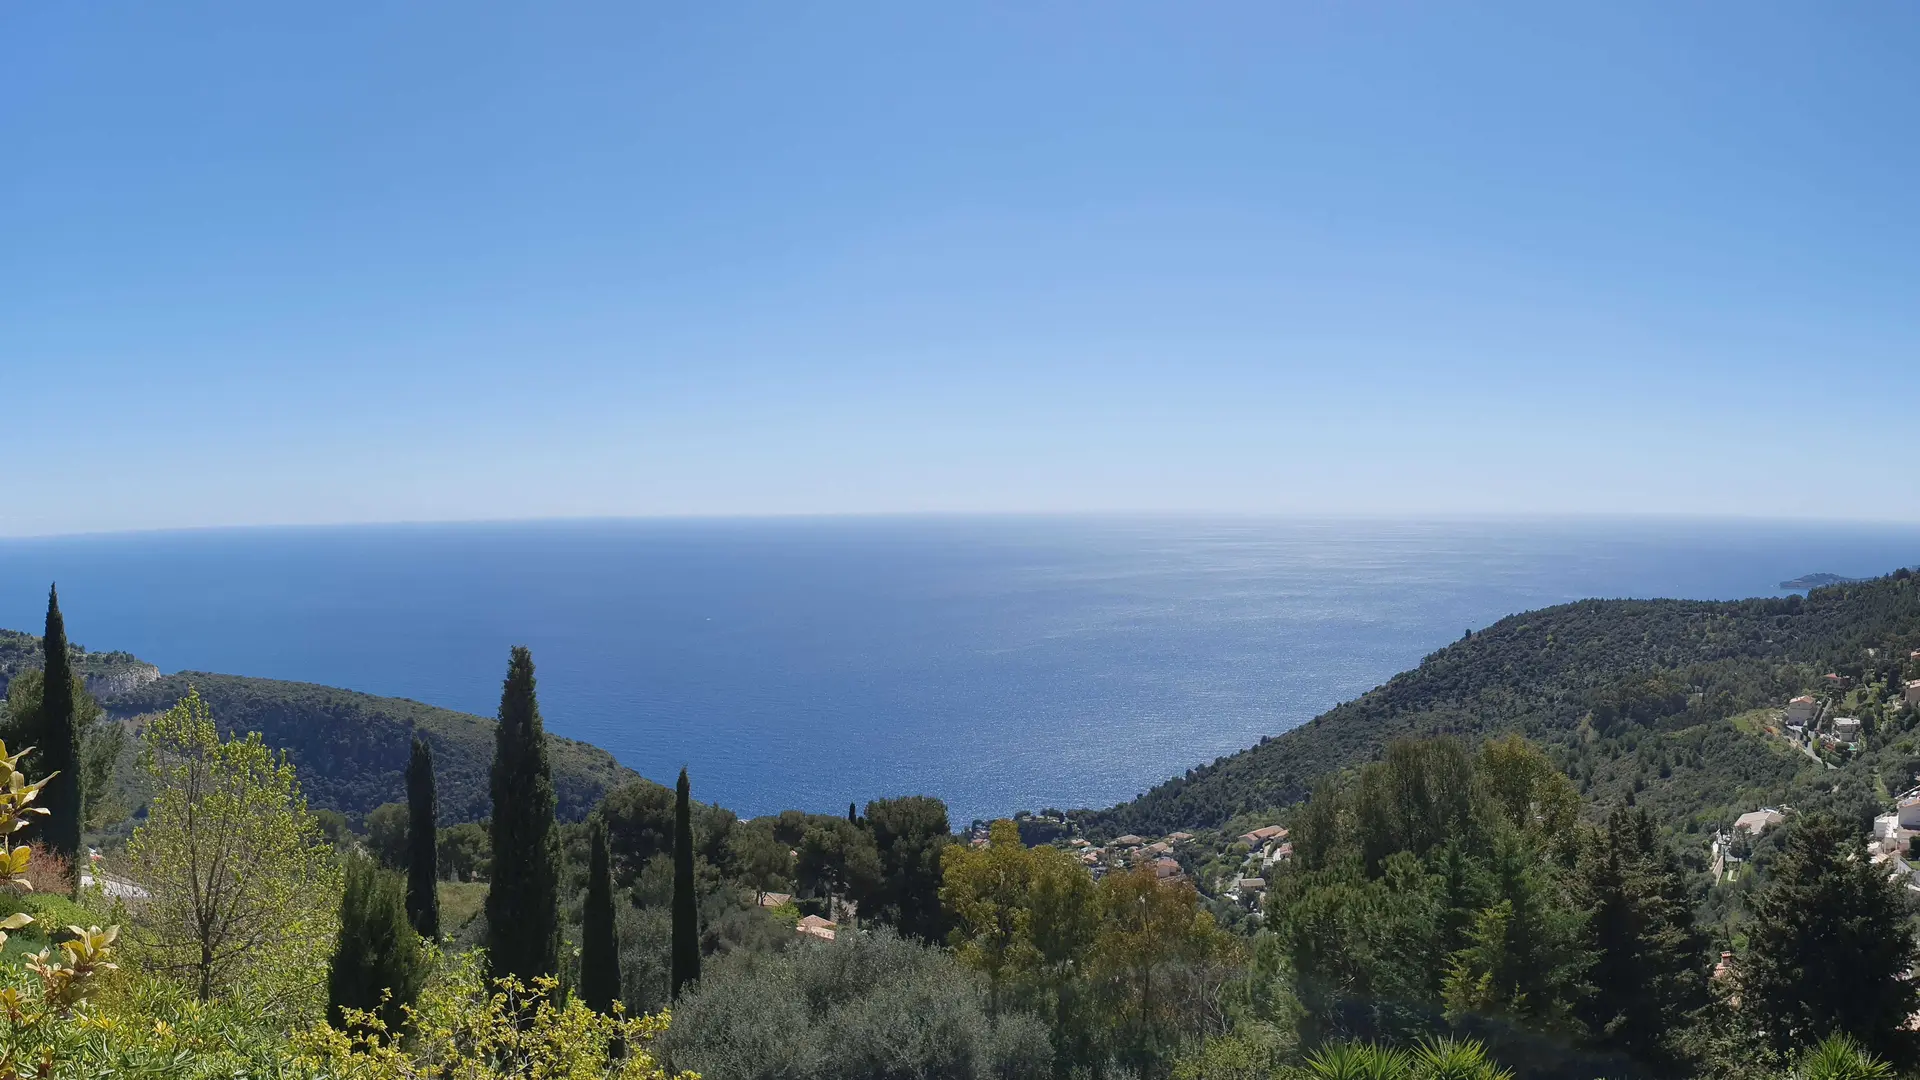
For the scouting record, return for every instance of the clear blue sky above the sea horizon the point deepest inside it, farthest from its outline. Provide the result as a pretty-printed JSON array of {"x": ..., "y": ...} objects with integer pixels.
[{"x": 377, "y": 262}]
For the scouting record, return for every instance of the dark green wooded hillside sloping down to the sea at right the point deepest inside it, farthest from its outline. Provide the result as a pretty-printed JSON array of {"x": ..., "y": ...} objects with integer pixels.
[{"x": 1656, "y": 681}]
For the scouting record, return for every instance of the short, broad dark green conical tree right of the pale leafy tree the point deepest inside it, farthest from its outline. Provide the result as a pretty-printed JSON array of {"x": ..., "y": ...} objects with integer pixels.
[{"x": 379, "y": 964}]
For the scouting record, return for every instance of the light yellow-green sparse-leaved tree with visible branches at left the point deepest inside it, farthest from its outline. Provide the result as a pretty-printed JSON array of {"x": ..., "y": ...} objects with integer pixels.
[{"x": 243, "y": 881}]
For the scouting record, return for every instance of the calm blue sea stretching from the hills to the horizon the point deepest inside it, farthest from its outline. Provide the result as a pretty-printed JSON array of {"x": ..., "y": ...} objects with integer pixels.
[{"x": 996, "y": 662}]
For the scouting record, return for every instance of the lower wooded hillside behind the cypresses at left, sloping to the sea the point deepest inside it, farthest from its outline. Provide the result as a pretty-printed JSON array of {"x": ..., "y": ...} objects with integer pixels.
[{"x": 352, "y": 749}]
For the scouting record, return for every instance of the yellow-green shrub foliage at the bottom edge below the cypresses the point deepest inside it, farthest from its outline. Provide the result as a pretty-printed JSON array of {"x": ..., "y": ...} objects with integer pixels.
[{"x": 466, "y": 1031}]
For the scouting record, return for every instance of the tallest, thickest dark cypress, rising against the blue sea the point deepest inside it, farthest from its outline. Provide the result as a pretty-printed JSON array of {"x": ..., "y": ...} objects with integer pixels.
[{"x": 523, "y": 935}]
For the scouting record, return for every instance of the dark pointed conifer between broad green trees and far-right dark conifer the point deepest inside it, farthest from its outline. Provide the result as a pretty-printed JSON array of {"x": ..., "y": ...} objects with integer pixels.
[{"x": 1650, "y": 960}]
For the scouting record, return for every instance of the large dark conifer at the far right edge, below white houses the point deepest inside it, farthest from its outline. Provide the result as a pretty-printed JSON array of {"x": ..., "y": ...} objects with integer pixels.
[{"x": 1829, "y": 948}]
